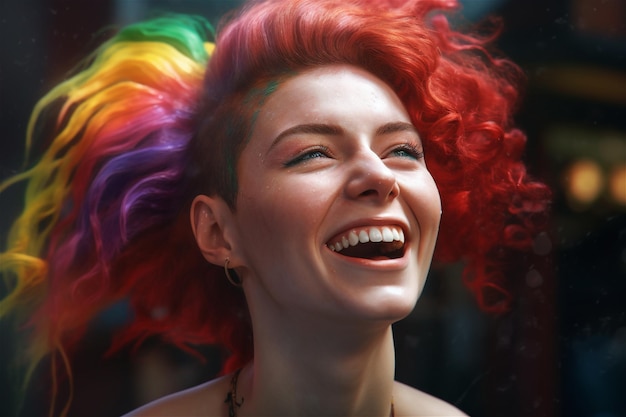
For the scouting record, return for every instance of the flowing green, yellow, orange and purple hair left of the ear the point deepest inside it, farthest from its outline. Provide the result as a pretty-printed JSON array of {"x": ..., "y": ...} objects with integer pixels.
[{"x": 111, "y": 174}]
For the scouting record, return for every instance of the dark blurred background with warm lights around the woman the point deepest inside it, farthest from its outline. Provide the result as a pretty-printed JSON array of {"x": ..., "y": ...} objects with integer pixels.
[{"x": 561, "y": 351}]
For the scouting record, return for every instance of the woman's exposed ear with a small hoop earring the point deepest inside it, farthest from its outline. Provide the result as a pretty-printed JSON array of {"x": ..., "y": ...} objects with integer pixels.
[{"x": 211, "y": 220}]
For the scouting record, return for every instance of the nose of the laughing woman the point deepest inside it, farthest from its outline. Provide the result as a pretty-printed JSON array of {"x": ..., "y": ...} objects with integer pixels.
[{"x": 370, "y": 179}]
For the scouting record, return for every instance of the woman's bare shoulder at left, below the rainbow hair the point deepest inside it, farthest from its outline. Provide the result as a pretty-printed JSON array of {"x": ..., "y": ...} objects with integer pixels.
[{"x": 203, "y": 400}]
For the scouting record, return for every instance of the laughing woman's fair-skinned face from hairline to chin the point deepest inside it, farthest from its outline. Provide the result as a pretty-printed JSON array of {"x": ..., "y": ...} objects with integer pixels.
[{"x": 333, "y": 162}]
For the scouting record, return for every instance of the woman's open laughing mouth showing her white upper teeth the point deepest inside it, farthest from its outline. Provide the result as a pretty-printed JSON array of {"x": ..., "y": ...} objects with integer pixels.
[{"x": 375, "y": 243}]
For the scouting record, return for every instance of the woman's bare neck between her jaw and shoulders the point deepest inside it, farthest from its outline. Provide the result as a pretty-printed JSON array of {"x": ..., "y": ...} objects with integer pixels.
[{"x": 319, "y": 369}]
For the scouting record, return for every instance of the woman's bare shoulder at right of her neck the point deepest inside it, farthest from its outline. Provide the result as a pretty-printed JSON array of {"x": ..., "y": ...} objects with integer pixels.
[{"x": 409, "y": 401}]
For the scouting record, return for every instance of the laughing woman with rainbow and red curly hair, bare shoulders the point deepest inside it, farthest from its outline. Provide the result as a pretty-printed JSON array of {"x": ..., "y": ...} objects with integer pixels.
[{"x": 299, "y": 152}]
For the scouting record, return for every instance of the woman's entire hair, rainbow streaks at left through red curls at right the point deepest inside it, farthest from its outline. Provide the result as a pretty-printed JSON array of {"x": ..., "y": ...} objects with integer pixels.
[{"x": 148, "y": 124}]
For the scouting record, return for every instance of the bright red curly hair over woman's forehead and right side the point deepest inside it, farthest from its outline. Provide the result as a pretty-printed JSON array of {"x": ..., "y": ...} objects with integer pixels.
[{"x": 459, "y": 96}]
